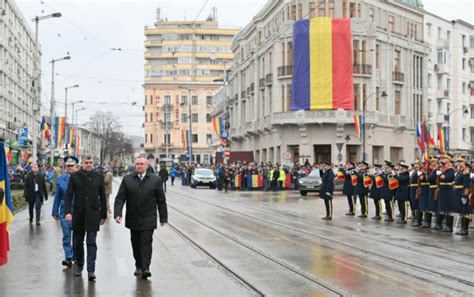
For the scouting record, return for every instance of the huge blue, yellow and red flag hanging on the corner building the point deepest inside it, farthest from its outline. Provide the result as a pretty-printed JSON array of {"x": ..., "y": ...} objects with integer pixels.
[{"x": 322, "y": 65}]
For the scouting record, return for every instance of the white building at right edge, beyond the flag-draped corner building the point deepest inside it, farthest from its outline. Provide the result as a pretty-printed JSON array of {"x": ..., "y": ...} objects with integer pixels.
[{"x": 451, "y": 80}]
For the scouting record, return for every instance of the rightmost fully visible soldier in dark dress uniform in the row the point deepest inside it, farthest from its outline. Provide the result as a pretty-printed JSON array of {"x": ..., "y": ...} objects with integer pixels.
[{"x": 462, "y": 188}]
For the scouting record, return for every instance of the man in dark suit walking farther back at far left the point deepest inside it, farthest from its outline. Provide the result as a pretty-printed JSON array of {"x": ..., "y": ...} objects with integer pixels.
[{"x": 35, "y": 191}]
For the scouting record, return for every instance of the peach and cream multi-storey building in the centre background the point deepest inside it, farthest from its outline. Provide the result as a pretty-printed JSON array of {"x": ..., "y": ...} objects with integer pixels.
[{"x": 184, "y": 61}]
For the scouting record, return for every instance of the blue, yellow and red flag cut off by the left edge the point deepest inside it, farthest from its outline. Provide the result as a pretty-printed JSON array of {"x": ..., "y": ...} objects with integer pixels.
[{"x": 6, "y": 206}]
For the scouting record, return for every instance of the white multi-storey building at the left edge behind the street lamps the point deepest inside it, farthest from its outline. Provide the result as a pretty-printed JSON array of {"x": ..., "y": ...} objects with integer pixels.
[{"x": 18, "y": 52}]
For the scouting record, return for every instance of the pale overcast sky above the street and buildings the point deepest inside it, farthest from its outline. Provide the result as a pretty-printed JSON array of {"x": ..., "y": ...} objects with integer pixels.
[{"x": 111, "y": 80}]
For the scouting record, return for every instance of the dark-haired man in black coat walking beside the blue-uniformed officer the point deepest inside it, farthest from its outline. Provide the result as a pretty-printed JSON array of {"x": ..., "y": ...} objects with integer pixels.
[{"x": 88, "y": 211}]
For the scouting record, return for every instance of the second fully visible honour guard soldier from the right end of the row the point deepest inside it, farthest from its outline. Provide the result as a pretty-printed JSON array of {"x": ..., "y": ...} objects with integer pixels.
[{"x": 446, "y": 192}]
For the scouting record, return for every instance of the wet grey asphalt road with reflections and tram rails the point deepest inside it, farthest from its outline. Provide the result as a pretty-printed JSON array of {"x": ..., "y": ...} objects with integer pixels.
[{"x": 248, "y": 243}]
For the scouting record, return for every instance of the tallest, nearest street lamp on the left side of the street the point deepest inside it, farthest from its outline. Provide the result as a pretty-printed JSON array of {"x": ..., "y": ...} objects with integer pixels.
[{"x": 37, "y": 75}]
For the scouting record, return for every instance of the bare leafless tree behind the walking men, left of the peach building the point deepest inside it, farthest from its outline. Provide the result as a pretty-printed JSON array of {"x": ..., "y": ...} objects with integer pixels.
[{"x": 105, "y": 124}]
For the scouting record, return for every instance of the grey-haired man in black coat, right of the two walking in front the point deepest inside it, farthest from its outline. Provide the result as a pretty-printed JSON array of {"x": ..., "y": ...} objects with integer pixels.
[{"x": 142, "y": 192}]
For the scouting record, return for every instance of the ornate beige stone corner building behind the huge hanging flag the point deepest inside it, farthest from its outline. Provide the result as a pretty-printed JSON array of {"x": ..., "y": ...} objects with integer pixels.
[{"x": 389, "y": 55}]
